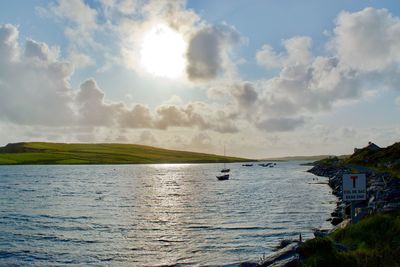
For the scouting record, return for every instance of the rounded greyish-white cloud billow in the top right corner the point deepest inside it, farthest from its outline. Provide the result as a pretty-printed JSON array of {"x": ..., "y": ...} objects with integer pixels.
[{"x": 368, "y": 40}]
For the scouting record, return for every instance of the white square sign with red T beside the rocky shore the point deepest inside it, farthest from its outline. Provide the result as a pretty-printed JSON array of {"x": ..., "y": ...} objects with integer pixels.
[{"x": 354, "y": 187}]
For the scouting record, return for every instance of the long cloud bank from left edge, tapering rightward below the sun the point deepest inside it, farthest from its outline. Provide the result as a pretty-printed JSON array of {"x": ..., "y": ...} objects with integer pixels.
[{"x": 38, "y": 75}]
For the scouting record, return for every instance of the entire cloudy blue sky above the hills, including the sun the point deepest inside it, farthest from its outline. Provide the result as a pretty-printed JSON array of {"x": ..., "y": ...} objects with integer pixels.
[{"x": 263, "y": 78}]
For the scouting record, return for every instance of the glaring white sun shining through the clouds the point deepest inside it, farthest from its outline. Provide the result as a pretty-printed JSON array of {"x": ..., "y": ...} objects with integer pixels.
[{"x": 163, "y": 52}]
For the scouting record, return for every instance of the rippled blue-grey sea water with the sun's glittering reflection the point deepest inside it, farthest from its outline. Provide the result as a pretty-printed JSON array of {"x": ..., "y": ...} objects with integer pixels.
[{"x": 155, "y": 215}]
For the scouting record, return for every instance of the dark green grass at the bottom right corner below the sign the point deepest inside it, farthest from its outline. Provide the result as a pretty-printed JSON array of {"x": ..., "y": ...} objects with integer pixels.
[{"x": 374, "y": 241}]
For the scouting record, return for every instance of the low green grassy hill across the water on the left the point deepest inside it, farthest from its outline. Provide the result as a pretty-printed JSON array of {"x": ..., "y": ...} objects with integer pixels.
[{"x": 61, "y": 153}]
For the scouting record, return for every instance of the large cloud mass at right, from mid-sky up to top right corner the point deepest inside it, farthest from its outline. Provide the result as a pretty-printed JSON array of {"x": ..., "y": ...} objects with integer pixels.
[{"x": 365, "y": 57}]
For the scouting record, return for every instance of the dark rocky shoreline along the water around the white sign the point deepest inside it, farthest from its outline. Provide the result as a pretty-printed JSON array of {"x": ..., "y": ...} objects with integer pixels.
[{"x": 383, "y": 195}]
